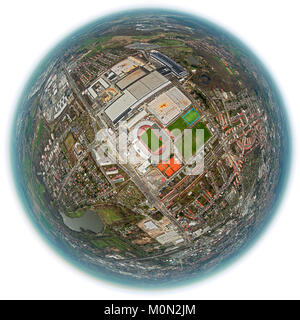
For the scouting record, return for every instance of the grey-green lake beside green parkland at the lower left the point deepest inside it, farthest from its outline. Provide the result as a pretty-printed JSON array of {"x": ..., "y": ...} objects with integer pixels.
[{"x": 88, "y": 221}]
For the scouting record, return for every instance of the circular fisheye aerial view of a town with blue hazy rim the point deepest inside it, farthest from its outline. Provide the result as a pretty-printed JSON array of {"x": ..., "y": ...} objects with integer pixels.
[{"x": 150, "y": 148}]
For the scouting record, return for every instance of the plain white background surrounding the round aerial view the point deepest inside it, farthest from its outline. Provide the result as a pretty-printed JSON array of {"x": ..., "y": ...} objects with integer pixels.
[{"x": 30, "y": 269}]
